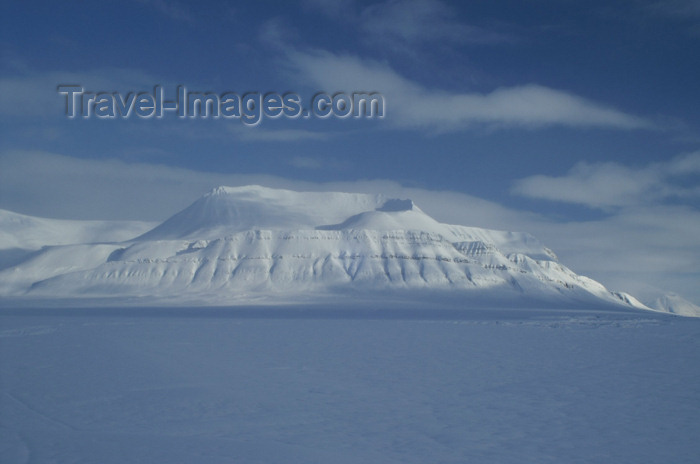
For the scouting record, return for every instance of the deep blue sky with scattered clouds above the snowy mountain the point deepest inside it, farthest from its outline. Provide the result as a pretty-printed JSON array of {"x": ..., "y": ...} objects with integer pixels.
[{"x": 577, "y": 121}]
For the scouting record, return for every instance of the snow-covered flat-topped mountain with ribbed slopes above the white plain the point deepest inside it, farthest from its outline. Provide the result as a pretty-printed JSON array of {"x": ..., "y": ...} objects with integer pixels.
[{"x": 236, "y": 245}]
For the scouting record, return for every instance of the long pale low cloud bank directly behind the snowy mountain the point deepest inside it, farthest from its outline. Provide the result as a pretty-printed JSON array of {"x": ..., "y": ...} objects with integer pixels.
[{"x": 643, "y": 249}]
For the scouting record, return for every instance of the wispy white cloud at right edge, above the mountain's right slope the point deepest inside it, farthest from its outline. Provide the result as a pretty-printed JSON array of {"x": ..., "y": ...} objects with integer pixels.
[{"x": 611, "y": 185}]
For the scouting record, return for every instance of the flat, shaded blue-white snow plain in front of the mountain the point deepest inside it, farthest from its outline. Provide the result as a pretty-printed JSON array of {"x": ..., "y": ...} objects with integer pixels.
[{"x": 270, "y": 386}]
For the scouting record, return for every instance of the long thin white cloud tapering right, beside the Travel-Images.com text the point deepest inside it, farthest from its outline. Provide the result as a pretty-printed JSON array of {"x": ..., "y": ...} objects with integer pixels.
[{"x": 410, "y": 105}]
